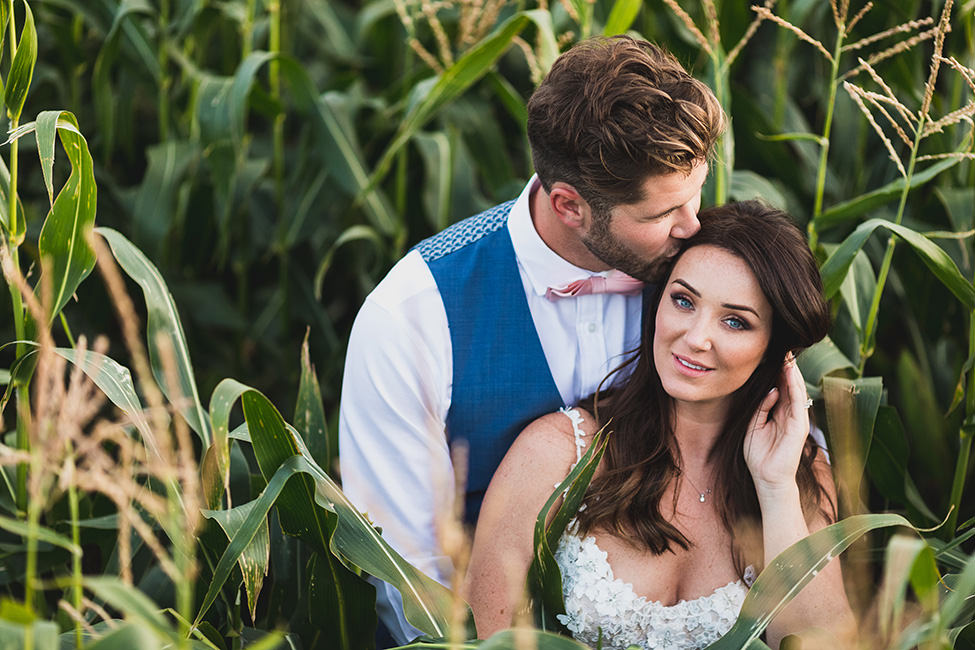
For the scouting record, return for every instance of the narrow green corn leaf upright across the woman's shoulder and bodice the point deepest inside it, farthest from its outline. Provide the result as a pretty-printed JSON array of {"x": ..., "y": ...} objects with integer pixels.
[{"x": 544, "y": 581}]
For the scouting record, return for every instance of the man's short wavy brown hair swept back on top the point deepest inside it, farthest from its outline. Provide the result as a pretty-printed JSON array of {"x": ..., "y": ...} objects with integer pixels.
[{"x": 613, "y": 112}]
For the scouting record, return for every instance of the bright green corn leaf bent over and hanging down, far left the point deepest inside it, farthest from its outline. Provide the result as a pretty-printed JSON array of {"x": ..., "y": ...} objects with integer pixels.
[{"x": 63, "y": 241}]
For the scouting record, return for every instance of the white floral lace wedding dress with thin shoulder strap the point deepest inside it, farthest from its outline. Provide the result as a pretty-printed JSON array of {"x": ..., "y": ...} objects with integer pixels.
[{"x": 599, "y": 605}]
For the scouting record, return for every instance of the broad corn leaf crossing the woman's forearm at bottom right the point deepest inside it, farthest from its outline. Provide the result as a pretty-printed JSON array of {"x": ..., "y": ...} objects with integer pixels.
[{"x": 793, "y": 569}]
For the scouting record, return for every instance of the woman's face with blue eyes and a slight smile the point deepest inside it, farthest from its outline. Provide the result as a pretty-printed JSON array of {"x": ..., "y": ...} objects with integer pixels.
[{"x": 712, "y": 326}]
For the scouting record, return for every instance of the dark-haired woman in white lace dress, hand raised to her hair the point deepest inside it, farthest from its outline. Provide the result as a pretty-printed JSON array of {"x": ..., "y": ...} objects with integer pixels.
[{"x": 709, "y": 471}]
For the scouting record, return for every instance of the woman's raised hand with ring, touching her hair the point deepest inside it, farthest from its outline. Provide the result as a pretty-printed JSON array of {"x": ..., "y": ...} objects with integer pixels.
[{"x": 773, "y": 445}]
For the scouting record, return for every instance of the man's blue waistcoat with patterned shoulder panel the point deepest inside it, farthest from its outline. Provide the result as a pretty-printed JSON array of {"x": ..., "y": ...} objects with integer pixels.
[{"x": 501, "y": 380}]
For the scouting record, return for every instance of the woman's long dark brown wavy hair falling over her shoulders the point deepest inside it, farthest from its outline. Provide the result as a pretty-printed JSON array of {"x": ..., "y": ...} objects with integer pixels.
[{"x": 642, "y": 457}]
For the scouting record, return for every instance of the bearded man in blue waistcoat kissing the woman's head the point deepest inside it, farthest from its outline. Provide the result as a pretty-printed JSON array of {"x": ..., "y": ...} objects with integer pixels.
[{"x": 521, "y": 309}]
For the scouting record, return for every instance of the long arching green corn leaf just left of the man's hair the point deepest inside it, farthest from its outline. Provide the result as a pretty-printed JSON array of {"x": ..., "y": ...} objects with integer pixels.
[{"x": 471, "y": 67}]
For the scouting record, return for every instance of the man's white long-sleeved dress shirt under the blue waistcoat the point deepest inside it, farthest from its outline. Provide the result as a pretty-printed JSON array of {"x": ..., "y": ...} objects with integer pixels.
[{"x": 396, "y": 390}]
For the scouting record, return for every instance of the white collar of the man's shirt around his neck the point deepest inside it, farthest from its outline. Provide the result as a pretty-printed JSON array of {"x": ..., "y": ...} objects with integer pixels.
[{"x": 544, "y": 267}]
